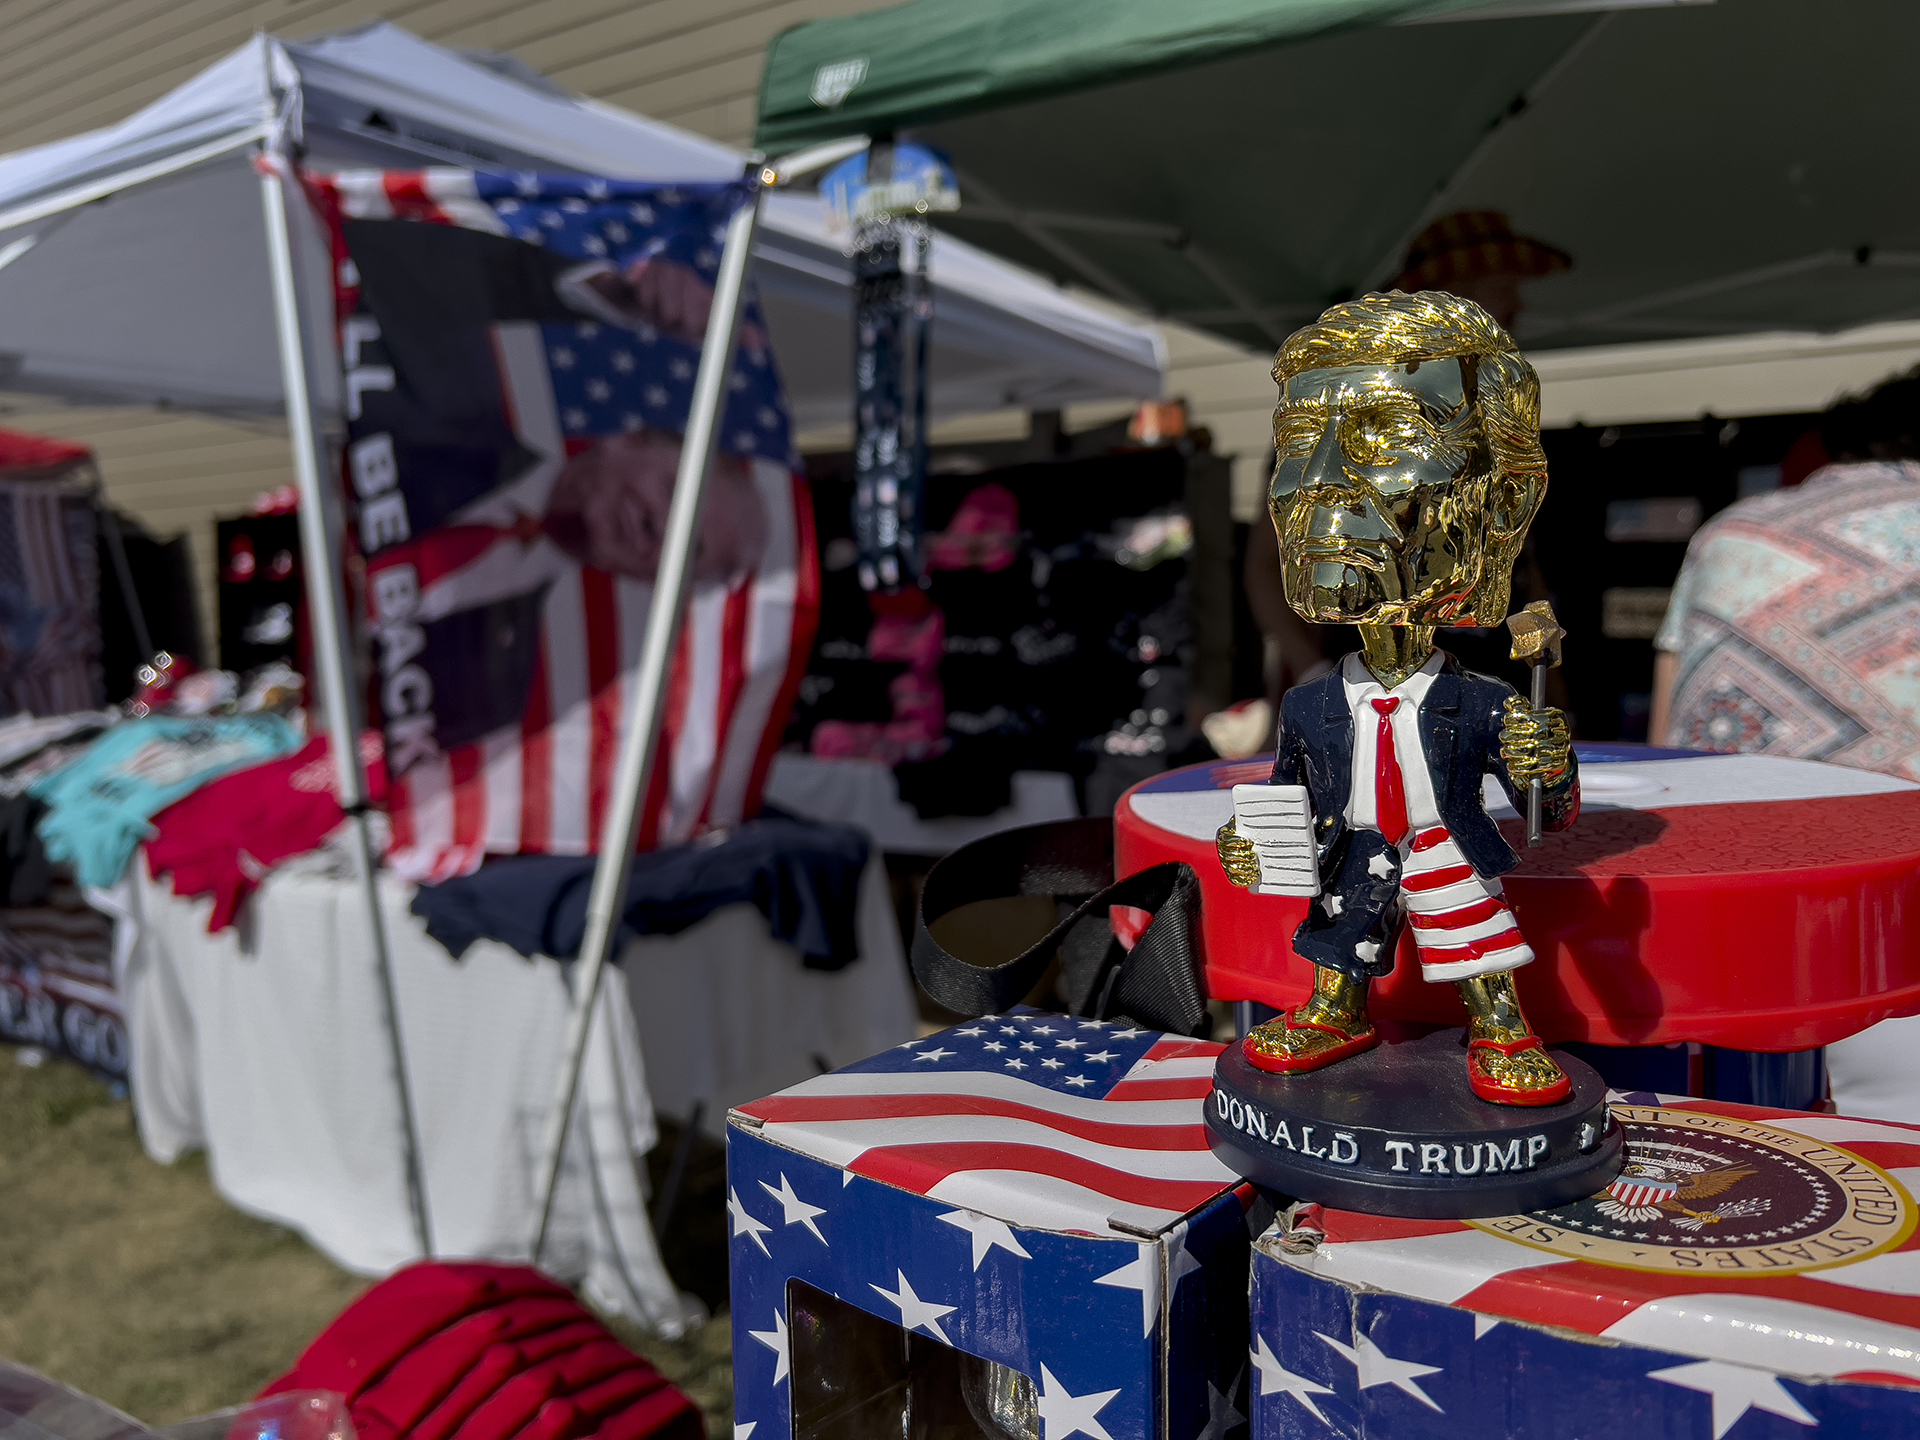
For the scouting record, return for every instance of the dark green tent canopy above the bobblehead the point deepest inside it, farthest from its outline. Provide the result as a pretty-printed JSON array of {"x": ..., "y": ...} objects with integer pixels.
[{"x": 1241, "y": 164}]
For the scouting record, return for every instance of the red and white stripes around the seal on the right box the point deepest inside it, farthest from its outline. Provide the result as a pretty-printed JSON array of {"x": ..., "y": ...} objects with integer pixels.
[{"x": 1848, "y": 1320}]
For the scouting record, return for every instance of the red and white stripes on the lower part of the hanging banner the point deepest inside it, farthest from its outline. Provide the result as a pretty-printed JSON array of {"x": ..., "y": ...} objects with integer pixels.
[{"x": 544, "y": 786}]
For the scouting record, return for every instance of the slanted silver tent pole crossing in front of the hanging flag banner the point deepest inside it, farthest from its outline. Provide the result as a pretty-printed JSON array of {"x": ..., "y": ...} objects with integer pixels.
[{"x": 621, "y": 830}]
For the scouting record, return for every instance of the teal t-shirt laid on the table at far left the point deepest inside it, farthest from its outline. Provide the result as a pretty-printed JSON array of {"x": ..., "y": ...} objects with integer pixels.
[{"x": 99, "y": 807}]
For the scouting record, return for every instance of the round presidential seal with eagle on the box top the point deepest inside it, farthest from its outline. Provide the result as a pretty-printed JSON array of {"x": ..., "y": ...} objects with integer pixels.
[{"x": 1716, "y": 1193}]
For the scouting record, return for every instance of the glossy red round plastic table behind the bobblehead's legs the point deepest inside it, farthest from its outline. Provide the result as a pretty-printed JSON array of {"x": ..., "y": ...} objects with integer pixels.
[{"x": 1731, "y": 900}]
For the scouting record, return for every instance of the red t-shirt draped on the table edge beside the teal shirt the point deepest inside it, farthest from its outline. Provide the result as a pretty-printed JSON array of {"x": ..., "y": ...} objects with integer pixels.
[{"x": 226, "y": 838}]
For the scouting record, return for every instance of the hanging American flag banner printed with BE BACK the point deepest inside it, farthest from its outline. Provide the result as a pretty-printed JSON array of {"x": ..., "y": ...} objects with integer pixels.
[{"x": 519, "y": 358}]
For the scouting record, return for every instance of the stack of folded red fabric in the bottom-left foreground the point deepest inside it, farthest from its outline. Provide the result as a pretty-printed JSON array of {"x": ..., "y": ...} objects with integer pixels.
[{"x": 487, "y": 1353}]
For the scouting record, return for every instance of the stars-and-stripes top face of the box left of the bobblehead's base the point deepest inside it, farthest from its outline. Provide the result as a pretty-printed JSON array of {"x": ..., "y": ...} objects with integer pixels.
[{"x": 1038, "y": 1120}]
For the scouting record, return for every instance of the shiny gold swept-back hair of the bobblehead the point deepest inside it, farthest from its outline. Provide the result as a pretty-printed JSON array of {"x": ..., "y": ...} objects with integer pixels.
[{"x": 1429, "y": 325}]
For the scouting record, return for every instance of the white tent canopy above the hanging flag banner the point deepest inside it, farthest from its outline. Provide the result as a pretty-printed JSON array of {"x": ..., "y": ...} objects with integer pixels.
[{"x": 158, "y": 287}]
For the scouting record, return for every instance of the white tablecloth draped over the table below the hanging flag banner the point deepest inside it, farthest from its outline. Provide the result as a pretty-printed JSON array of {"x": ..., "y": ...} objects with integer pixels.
[{"x": 264, "y": 1047}]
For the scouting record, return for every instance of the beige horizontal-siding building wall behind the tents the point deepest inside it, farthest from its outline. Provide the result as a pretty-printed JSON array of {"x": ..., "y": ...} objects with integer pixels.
[{"x": 70, "y": 66}]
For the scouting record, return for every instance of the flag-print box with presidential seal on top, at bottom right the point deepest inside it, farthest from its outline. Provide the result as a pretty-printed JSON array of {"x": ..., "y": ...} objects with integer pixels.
[{"x": 1752, "y": 1276}]
